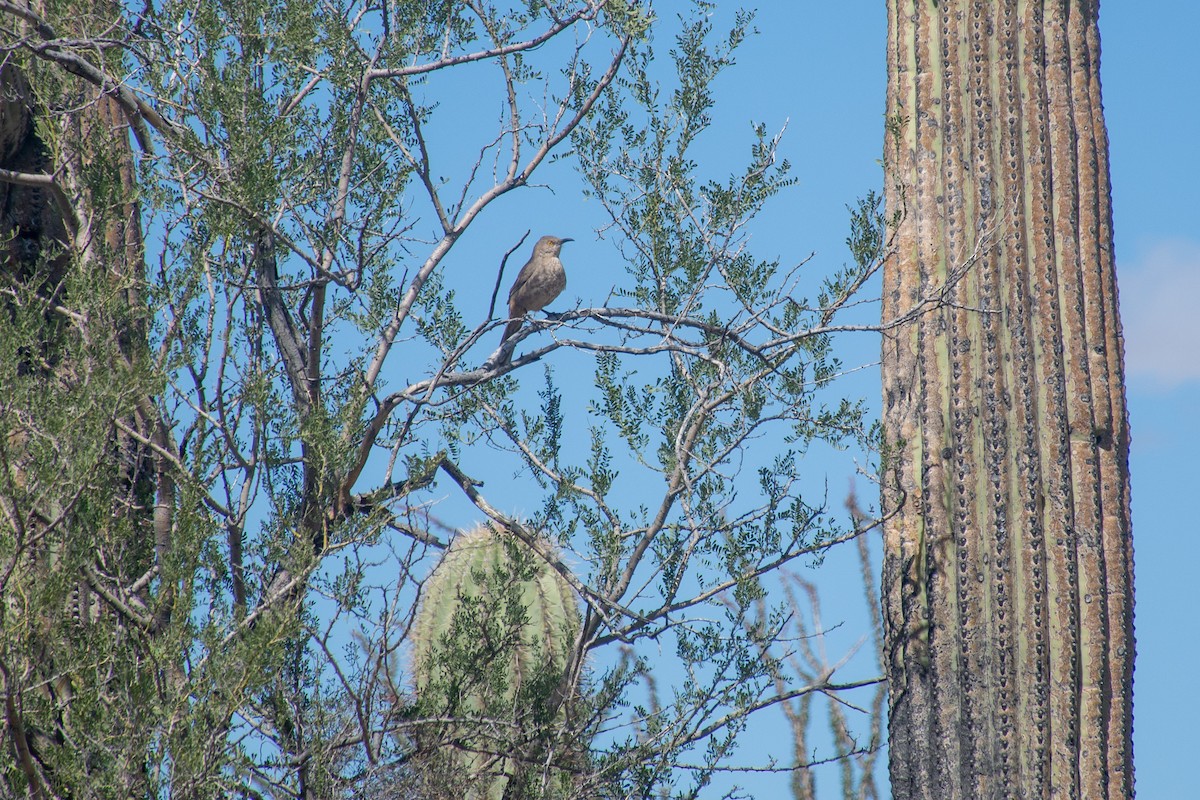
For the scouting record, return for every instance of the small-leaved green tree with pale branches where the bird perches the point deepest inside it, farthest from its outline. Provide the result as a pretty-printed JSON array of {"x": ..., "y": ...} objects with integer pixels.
[{"x": 247, "y": 398}]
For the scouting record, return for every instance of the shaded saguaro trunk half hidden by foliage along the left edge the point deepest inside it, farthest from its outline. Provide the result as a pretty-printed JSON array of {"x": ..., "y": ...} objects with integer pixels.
[{"x": 86, "y": 489}]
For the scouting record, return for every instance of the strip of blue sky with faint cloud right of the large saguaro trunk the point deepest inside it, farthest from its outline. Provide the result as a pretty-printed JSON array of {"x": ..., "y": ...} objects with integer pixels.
[{"x": 1153, "y": 110}]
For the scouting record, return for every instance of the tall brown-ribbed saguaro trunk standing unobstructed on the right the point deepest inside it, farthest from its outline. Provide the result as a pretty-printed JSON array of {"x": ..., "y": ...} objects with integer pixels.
[{"x": 1009, "y": 568}]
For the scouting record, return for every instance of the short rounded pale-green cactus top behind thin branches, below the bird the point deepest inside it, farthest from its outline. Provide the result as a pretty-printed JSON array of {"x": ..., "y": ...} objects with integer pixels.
[{"x": 491, "y": 643}]
